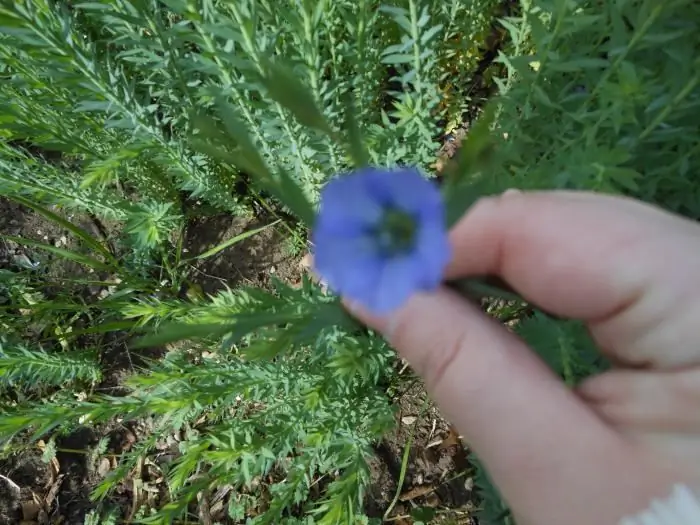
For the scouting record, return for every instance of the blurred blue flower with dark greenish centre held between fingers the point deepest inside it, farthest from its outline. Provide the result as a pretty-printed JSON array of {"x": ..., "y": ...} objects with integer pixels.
[{"x": 380, "y": 236}]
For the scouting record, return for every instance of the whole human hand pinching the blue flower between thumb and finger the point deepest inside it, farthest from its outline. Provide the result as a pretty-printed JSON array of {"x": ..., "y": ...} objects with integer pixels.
[{"x": 632, "y": 273}]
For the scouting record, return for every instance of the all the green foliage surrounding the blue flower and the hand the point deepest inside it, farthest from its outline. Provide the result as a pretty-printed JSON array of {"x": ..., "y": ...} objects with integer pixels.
[{"x": 142, "y": 114}]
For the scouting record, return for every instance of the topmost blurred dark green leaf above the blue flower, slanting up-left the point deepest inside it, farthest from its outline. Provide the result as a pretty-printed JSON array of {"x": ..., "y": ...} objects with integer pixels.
[{"x": 285, "y": 88}]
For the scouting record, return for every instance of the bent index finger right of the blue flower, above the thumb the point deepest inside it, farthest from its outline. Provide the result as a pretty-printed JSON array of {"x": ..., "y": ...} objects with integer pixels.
[{"x": 630, "y": 270}]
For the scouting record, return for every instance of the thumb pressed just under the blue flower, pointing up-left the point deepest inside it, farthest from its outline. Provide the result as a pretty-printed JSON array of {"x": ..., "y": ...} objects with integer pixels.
[{"x": 531, "y": 431}]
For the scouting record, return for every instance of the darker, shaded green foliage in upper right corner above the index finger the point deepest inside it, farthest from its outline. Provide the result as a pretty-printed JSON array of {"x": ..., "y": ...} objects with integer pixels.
[{"x": 599, "y": 96}]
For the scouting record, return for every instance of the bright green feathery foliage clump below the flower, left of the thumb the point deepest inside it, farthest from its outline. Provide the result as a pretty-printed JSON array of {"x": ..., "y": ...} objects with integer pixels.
[{"x": 311, "y": 413}]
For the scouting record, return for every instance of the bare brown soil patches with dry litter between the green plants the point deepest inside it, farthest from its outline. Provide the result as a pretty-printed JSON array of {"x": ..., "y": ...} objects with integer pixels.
[{"x": 438, "y": 476}]
